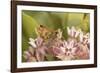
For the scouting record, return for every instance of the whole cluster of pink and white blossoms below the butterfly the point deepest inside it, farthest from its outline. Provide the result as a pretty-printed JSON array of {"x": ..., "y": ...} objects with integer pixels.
[{"x": 75, "y": 47}]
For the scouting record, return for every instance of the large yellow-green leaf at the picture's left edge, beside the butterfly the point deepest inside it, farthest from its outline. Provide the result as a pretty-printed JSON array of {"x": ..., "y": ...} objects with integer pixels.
[{"x": 28, "y": 26}]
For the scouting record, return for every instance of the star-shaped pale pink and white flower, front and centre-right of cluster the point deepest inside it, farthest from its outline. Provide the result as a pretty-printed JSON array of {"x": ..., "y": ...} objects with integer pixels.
[{"x": 68, "y": 50}]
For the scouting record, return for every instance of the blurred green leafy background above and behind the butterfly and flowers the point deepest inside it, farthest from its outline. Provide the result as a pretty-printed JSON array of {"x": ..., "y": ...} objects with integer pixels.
[{"x": 52, "y": 20}]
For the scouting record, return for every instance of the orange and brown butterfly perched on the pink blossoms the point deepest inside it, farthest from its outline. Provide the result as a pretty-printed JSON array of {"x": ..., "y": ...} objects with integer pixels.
[{"x": 43, "y": 31}]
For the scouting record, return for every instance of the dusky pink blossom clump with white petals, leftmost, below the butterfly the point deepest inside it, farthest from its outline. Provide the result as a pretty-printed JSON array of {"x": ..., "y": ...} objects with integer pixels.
[{"x": 37, "y": 47}]
